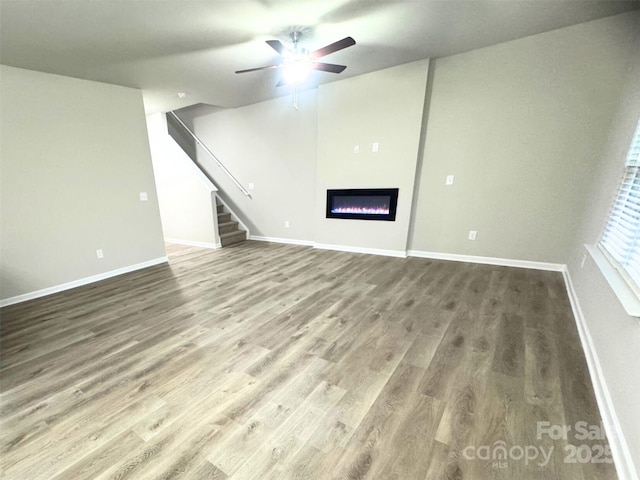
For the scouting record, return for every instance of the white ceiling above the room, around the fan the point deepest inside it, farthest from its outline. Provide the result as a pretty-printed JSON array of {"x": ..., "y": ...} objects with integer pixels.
[{"x": 169, "y": 46}]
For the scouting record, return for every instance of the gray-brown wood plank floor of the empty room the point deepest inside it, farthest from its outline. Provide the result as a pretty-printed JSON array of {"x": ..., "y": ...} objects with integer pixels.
[{"x": 266, "y": 361}]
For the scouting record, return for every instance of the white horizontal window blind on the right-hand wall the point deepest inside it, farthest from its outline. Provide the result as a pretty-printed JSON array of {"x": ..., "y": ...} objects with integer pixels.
[{"x": 621, "y": 236}]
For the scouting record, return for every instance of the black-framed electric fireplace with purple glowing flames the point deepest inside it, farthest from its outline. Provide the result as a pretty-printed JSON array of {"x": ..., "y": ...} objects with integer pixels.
[{"x": 363, "y": 204}]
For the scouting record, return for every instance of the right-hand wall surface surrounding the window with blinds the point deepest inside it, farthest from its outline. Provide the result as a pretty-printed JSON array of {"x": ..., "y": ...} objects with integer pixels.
[{"x": 615, "y": 335}]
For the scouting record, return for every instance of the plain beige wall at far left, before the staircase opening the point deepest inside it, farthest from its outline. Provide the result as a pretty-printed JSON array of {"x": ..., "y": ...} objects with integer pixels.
[{"x": 74, "y": 157}]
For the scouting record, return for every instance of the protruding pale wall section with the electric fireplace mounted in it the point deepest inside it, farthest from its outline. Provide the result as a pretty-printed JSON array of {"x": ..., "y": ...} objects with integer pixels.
[{"x": 384, "y": 107}]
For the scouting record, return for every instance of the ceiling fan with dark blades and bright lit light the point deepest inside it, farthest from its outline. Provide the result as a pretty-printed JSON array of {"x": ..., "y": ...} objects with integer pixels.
[{"x": 298, "y": 62}]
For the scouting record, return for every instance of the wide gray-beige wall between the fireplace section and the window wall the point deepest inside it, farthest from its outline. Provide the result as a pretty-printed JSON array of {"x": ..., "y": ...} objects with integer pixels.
[{"x": 520, "y": 126}]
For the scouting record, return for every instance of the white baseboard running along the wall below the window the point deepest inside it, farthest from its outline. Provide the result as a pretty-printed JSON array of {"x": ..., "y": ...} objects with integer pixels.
[{"x": 620, "y": 452}]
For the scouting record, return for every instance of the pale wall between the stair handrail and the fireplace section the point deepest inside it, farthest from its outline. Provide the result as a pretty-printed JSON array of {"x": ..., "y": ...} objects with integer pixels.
[{"x": 273, "y": 146}]
